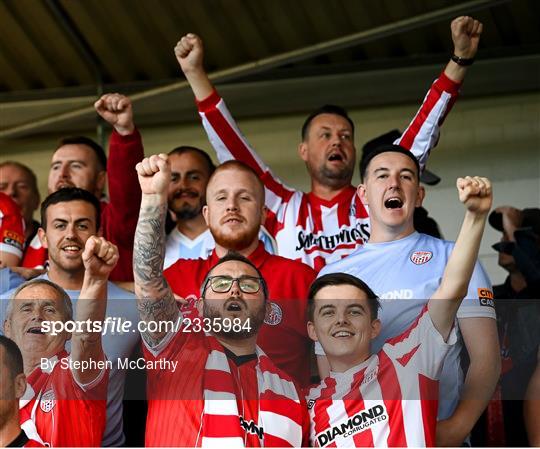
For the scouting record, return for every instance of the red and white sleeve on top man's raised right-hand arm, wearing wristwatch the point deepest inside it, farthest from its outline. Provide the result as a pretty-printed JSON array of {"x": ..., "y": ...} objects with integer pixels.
[{"x": 422, "y": 134}]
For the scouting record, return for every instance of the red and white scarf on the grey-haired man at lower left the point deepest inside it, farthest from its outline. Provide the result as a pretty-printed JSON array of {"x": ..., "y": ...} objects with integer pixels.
[{"x": 28, "y": 404}]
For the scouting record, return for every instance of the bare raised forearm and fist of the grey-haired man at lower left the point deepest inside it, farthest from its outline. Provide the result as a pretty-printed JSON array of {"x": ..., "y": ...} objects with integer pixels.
[{"x": 99, "y": 258}]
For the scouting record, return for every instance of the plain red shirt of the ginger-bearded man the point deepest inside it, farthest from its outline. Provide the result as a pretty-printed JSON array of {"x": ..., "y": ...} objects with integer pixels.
[{"x": 284, "y": 336}]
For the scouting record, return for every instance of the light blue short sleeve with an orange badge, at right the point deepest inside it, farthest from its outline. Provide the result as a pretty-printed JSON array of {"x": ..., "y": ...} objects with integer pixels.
[{"x": 479, "y": 302}]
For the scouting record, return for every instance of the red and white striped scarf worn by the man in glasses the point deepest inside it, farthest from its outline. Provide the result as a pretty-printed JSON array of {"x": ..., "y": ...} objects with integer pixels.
[{"x": 280, "y": 408}]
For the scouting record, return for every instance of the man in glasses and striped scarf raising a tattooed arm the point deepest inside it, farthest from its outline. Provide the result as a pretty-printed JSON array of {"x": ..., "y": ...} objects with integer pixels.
[{"x": 208, "y": 381}]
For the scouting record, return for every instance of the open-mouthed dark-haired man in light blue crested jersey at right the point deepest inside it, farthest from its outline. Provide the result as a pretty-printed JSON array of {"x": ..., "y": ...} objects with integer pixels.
[{"x": 405, "y": 268}]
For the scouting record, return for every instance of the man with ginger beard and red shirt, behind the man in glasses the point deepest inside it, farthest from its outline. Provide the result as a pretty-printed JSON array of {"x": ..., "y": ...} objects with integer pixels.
[{"x": 234, "y": 213}]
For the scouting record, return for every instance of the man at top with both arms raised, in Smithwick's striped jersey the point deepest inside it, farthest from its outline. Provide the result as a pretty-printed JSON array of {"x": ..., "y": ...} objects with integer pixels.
[{"x": 329, "y": 222}]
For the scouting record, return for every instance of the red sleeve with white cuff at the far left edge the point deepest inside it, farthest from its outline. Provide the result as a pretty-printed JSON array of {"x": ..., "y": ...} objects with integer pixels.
[{"x": 11, "y": 227}]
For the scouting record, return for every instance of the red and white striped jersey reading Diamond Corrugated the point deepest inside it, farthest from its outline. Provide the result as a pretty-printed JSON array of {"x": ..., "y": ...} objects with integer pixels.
[{"x": 388, "y": 400}]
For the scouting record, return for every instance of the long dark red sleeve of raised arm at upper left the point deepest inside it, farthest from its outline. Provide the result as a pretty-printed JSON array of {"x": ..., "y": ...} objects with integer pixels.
[{"x": 120, "y": 214}]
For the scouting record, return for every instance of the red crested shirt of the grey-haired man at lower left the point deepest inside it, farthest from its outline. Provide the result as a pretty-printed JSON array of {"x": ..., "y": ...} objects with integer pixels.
[{"x": 68, "y": 414}]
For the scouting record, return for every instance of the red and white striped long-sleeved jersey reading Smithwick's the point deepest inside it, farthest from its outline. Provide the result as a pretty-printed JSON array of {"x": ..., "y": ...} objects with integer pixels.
[{"x": 306, "y": 227}]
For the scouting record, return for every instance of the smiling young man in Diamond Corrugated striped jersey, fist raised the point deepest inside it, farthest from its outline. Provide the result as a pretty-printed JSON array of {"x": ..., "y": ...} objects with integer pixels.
[{"x": 389, "y": 398}]
